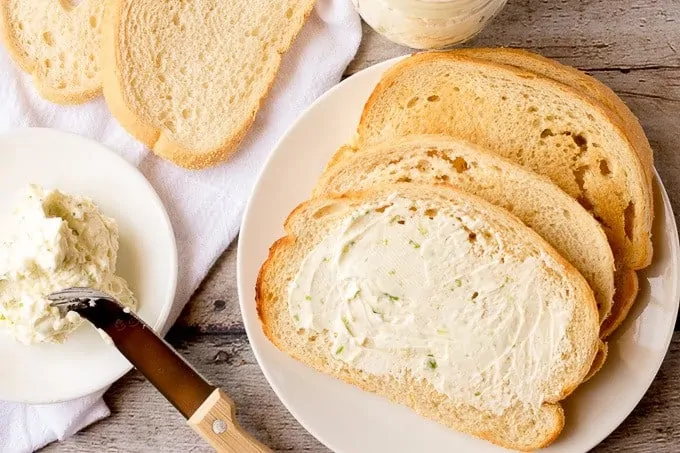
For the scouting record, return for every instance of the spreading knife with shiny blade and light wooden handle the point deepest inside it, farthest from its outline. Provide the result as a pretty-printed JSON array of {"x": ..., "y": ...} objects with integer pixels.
[{"x": 208, "y": 410}]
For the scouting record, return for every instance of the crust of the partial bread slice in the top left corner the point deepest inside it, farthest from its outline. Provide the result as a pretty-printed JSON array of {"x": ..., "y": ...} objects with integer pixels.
[{"x": 27, "y": 65}]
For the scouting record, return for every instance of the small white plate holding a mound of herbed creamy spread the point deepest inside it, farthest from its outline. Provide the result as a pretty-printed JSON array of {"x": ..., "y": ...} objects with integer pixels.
[{"x": 93, "y": 219}]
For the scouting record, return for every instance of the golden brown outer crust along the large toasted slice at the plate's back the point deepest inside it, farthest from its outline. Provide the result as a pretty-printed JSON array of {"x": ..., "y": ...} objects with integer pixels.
[{"x": 642, "y": 255}]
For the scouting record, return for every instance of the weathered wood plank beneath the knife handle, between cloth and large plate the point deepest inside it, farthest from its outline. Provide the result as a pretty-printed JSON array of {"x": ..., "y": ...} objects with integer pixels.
[{"x": 143, "y": 421}]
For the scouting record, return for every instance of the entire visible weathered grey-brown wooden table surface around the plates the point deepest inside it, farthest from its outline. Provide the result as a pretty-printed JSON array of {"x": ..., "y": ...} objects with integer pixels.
[{"x": 631, "y": 45}]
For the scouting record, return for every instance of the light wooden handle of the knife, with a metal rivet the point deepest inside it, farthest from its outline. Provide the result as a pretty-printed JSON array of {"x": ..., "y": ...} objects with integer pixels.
[{"x": 215, "y": 421}]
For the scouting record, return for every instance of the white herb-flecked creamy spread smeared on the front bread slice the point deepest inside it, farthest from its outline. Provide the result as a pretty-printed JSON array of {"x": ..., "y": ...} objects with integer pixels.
[{"x": 400, "y": 292}]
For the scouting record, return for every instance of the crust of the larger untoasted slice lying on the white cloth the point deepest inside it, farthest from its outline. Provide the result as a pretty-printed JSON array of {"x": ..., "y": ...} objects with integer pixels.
[{"x": 154, "y": 137}]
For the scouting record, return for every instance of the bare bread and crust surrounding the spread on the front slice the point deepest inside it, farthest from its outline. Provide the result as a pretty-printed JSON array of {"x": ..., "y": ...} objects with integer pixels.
[{"x": 492, "y": 232}]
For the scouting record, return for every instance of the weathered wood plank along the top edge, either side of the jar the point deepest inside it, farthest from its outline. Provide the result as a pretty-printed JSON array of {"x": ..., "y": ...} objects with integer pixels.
[{"x": 625, "y": 34}]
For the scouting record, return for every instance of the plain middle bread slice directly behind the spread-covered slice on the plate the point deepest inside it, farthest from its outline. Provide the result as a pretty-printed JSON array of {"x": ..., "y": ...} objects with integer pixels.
[{"x": 432, "y": 159}]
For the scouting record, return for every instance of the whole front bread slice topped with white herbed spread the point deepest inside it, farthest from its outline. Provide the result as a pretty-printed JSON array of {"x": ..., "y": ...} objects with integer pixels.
[{"x": 435, "y": 299}]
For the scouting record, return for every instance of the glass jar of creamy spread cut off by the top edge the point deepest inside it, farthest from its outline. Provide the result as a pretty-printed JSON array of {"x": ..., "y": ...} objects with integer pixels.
[{"x": 428, "y": 24}]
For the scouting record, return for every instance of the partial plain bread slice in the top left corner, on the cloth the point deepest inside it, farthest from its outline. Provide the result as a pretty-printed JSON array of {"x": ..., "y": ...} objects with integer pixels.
[{"x": 58, "y": 44}]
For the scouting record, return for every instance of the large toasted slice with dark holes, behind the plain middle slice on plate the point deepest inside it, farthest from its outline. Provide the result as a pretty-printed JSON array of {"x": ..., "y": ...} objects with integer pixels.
[{"x": 534, "y": 121}]
